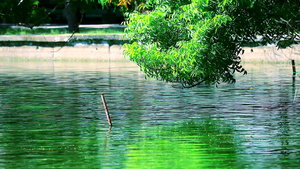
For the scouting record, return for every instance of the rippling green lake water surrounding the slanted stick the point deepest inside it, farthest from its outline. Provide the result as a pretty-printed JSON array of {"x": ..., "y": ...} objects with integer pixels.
[{"x": 52, "y": 116}]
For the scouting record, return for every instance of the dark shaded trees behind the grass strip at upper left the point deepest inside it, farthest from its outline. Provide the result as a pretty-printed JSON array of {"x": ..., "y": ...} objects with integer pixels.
[{"x": 30, "y": 13}]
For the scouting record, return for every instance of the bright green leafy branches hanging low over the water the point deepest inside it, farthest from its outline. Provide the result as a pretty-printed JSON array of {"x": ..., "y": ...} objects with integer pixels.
[{"x": 199, "y": 41}]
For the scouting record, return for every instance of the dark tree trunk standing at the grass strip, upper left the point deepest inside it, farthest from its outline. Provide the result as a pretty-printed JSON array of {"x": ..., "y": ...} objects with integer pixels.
[{"x": 72, "y": 16}]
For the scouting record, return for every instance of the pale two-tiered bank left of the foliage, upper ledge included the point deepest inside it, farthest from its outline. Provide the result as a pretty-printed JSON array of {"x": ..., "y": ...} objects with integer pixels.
[{"x": 62, "y": 47}]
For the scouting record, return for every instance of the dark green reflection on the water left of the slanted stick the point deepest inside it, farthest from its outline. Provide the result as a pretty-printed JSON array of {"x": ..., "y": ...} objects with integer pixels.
[{"x": 49, "y": 125}]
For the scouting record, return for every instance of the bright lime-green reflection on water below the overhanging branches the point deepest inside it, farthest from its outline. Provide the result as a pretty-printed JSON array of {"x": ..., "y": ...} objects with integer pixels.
[{"x": 204, "y": 144}]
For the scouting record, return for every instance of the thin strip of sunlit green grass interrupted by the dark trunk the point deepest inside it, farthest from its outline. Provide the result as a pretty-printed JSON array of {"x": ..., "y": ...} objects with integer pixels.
[{"x": 55, "y": 31}]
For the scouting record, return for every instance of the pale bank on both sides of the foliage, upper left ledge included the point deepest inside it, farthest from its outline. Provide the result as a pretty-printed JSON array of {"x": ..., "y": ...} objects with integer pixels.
[{"x": 108, "y": 48}]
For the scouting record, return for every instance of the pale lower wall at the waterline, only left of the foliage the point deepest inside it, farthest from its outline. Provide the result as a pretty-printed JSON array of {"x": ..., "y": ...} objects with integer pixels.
[{"x": 99, "y": 52}]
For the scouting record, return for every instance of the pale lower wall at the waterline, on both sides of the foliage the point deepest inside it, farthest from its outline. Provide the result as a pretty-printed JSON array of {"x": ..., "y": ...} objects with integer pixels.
[{"x": 114, "y": 52}]
